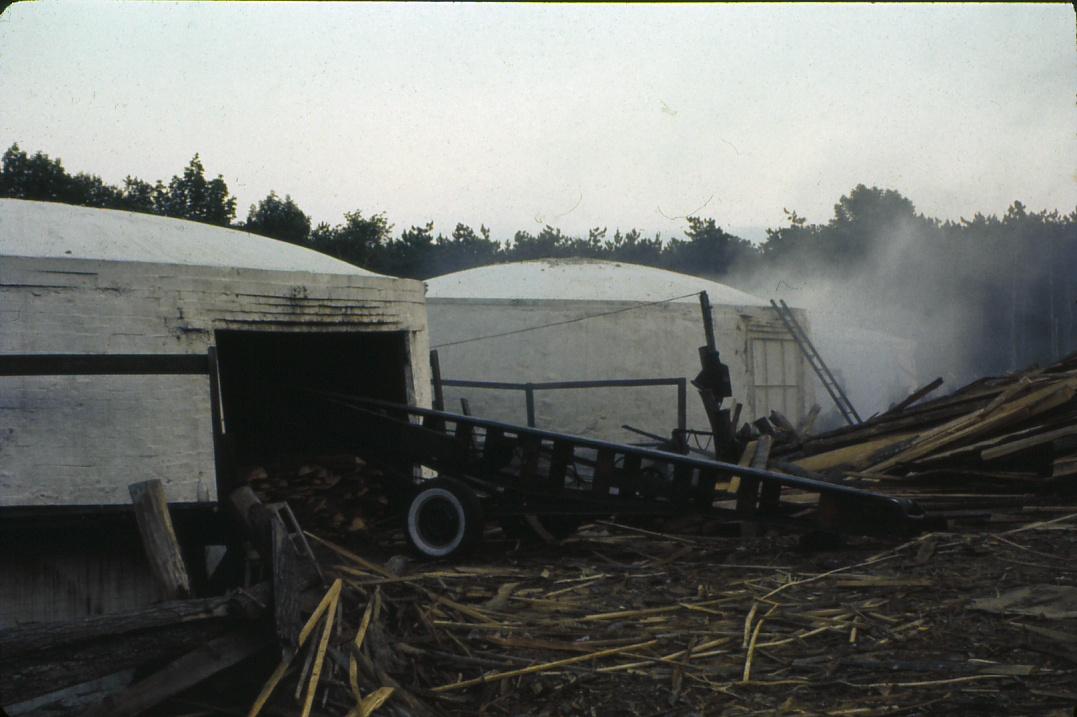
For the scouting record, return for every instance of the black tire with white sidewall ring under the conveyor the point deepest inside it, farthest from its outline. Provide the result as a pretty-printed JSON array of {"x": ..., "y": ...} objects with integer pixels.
[{"x": 458, "y": 504}]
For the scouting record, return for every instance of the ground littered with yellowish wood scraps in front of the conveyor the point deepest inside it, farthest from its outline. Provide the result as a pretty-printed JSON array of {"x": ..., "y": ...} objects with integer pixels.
[{"x": 627, "y": 624}]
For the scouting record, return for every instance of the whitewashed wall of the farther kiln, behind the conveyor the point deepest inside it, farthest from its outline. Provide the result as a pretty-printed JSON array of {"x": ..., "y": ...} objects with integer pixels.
[{"x": 646, "y": 342}]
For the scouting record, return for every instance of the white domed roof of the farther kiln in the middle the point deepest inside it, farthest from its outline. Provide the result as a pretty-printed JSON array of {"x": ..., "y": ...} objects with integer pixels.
[{"x": 582, "y": 280}]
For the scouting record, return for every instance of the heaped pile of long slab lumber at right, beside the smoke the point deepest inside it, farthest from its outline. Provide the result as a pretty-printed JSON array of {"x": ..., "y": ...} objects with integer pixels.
[{"x": 1000, "y": 441}]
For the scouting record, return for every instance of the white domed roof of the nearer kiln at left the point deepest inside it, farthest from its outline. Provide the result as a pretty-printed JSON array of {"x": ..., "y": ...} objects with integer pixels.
[{"x": 55, "y": 231}]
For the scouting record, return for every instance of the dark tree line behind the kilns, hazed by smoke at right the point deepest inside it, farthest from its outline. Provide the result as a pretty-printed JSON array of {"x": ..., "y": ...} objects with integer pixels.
[{"x": 1001, "y": 288}]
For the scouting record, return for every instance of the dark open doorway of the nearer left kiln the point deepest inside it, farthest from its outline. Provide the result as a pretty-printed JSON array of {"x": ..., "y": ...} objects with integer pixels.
[{"x": 268, "y": 414}]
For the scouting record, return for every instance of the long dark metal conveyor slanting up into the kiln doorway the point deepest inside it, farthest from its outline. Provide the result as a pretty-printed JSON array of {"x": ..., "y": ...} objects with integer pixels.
[{"x": 522, "y": 471}]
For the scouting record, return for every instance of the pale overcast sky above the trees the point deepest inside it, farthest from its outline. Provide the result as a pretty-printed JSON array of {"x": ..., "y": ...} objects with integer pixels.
[{"x": 574, "y": 116}]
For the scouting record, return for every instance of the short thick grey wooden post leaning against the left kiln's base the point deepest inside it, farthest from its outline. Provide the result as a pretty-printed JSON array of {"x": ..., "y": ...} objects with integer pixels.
[{"x": 159, "y": 539}]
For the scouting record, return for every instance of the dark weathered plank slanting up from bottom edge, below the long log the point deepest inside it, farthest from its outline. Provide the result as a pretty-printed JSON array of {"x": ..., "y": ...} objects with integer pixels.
[{"x": 186, "y": 672}]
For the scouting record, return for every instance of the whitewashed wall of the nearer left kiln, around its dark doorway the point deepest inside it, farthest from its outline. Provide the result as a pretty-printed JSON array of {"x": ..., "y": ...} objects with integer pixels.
[{"x": 81, "y": 441}]
